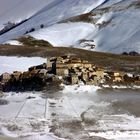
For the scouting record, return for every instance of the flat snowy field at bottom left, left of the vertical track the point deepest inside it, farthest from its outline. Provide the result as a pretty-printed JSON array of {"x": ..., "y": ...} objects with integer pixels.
[{"x": 25, "y": 116}]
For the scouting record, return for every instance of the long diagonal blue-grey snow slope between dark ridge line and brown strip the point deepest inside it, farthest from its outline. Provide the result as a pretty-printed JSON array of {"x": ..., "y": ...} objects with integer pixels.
[{"x": 55, "y": 11}]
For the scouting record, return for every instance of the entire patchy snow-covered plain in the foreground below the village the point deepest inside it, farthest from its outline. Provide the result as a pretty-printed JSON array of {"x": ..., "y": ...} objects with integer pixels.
[{"x": 77, "y": 112}]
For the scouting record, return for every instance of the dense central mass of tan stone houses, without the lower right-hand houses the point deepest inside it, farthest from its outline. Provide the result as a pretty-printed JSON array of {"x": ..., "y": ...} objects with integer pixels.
[{"x": 73, "y": 70}]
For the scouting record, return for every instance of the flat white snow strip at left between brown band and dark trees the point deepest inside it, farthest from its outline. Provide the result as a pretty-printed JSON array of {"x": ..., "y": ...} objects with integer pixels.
[{"x": 10, "y": 64}]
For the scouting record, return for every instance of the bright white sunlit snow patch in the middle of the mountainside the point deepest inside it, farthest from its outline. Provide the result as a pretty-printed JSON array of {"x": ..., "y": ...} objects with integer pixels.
[{"x": 66, "y": 34}]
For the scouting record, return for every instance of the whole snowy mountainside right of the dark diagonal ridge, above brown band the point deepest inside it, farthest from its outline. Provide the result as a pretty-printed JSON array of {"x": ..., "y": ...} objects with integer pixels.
[{"x": 110, "y": 25}]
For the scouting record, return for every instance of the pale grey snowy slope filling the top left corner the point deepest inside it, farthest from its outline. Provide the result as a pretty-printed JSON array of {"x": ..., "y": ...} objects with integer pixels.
[{"x": 18, "y": 10}]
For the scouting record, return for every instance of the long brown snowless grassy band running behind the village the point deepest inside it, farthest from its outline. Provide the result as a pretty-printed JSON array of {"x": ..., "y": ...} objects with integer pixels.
[{"x": 108, "y": 60}]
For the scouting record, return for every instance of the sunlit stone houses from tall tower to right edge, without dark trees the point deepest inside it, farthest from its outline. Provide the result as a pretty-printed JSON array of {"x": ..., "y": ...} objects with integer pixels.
[{"x": 73, "y": 70}]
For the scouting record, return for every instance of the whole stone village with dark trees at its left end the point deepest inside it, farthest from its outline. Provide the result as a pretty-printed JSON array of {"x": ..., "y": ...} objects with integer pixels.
[{"x": 68, "y": 70}]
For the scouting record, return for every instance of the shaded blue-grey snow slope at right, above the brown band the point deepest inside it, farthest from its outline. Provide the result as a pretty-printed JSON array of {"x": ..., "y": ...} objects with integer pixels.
[{"x": 120, "y": 30}]
